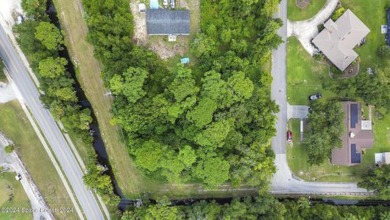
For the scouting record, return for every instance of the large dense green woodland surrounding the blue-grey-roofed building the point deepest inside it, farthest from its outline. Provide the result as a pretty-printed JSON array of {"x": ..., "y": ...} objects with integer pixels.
[{"x": 211, "y": 123}]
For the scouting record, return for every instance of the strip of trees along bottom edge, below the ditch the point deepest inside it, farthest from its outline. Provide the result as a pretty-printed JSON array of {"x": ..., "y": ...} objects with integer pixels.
[{"x": 260, "y": 207}]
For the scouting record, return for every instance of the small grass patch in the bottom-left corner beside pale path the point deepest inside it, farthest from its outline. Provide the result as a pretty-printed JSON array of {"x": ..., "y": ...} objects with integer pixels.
[{"x": 9, "y": 186}]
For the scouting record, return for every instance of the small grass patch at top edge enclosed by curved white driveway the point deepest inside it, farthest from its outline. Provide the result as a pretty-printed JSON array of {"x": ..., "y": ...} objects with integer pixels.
[{"x": 296, "y": 14}]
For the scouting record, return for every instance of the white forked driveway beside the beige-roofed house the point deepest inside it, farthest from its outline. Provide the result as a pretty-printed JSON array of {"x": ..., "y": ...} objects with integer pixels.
[{"x": 306, "y": 30}]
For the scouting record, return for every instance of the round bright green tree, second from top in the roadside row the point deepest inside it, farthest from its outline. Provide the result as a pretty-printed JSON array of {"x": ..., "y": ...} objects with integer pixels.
[{"x": 50, "y": 36}]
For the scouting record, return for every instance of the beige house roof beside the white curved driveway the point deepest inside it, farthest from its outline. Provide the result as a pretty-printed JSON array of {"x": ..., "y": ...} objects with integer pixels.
[{"x": 338, "y": 39}]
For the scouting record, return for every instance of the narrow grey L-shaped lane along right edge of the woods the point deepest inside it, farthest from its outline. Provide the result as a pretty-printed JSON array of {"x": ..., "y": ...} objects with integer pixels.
[{"x": 283, "y": 181}]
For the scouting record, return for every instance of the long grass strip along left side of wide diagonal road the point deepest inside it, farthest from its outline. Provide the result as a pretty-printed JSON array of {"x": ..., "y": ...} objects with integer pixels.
[{"x": 16, "y": 126}]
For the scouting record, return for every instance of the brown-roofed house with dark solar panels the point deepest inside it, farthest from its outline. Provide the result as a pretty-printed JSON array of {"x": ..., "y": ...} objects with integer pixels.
[{"x": 357, "y": 136}]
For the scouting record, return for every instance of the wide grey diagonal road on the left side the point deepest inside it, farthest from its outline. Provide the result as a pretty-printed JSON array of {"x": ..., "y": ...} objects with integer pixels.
[{"x": 49, "y": 128}]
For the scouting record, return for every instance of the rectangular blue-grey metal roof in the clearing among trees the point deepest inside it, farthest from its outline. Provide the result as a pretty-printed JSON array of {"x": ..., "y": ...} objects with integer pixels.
[{"x": 168, "y": 22}]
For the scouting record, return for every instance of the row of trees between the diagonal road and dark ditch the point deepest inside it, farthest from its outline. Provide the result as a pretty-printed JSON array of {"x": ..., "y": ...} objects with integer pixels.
[{"x": 41, "y": 41}]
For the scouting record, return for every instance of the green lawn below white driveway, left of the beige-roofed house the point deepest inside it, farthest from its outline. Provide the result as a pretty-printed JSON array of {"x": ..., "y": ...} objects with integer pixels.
[{"x": 304, "y": 74}]
